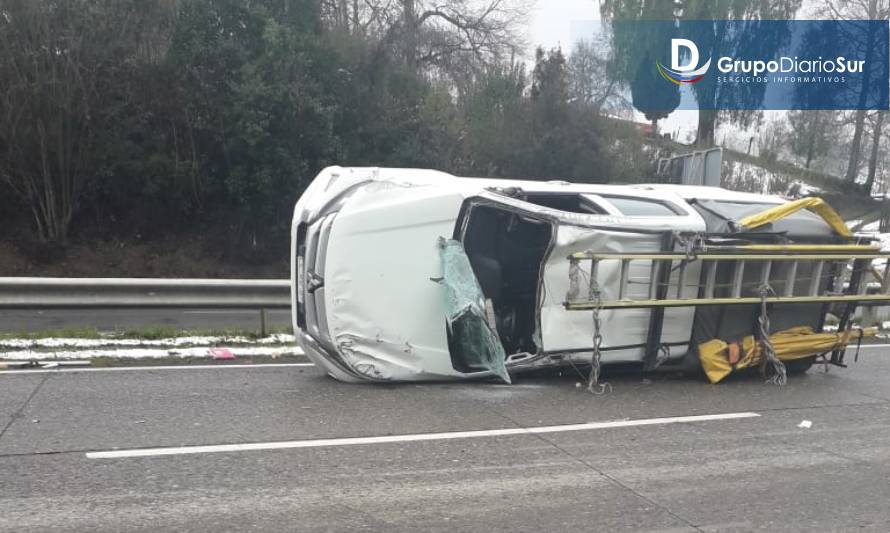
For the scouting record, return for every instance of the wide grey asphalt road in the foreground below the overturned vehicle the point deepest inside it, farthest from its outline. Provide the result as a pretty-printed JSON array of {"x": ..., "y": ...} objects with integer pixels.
[{"x": 757, "y": 472}]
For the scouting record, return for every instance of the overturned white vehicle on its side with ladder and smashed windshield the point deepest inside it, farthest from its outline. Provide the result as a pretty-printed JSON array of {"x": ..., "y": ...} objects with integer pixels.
[{"x": 415, "y": 275}]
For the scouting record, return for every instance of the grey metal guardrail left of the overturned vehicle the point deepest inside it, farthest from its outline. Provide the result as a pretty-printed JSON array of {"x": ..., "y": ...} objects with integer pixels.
[{"x": 85, "y": 293}]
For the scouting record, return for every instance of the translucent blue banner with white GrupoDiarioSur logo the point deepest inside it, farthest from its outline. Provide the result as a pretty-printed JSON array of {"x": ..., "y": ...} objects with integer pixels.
[{"x": 758, "y": 64}]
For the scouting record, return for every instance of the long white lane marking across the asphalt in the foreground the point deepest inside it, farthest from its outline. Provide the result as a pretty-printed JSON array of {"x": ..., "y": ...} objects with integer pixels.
[{"x": 354, "y": 441}]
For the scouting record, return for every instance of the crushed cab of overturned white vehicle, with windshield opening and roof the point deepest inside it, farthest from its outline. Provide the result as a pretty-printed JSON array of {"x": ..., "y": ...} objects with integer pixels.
[{"x": 518, "y": 243}]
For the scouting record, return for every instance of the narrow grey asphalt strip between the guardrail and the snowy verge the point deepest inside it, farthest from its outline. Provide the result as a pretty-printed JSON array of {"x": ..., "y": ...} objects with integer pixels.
[{"x": 115, "y": 319}]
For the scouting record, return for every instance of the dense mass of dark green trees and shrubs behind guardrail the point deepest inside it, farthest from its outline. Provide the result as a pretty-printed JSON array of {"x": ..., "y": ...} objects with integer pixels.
[{"x": 216, "y": 114}]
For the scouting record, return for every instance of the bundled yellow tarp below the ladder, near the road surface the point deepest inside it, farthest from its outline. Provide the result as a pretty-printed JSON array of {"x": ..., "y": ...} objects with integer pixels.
[{"x": 719, "y": 358}]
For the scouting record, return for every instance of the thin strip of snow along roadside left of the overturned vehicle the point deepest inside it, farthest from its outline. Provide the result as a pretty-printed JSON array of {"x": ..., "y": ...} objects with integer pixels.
[{"x": 142, "y": 343}]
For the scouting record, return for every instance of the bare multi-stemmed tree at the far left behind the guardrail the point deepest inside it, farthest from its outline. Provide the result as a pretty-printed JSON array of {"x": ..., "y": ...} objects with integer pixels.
[{"x": 56, "y": 58}]
